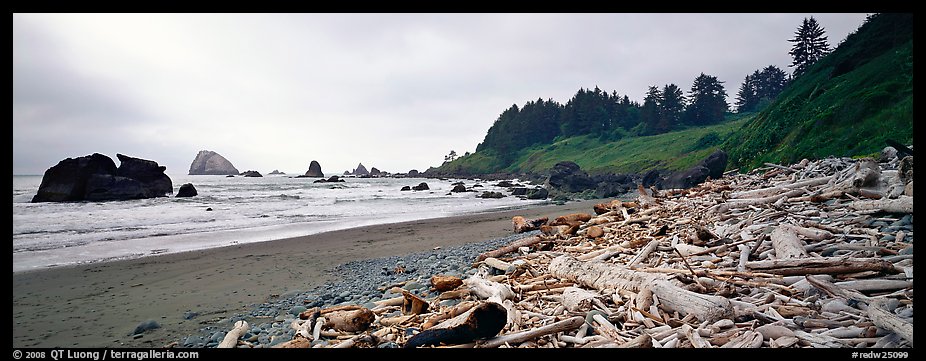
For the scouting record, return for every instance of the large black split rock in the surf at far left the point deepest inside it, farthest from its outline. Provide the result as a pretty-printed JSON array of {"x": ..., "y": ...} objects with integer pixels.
[{"x": 96, "y": 178}]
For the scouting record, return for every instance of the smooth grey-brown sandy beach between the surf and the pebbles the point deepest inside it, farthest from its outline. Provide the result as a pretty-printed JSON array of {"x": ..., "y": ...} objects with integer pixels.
[{"x": 99, "y": 305}]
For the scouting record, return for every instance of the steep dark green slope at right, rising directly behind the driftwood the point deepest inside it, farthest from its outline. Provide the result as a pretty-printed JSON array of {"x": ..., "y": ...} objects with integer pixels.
[{"x": 846, "y": 104}]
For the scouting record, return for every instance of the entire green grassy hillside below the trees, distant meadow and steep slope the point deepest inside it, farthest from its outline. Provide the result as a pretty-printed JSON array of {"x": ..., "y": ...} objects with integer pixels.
[{"x": 846, "y": 104}]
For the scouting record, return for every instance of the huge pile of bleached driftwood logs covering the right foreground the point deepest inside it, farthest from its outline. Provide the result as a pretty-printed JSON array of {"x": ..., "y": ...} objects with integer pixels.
[{"x": 779, "y": 257}]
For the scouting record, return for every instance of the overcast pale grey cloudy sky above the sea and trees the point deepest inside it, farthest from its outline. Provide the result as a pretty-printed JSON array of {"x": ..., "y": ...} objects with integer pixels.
[{"x": 392, "y": 91}]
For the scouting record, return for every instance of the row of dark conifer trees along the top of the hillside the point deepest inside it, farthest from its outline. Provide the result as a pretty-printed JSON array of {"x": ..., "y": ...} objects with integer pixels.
[{"x": 611, "y": 116}]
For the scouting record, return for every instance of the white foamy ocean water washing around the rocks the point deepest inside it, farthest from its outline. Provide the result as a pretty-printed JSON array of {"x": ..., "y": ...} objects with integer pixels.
[{"x": 243, "y": 210}]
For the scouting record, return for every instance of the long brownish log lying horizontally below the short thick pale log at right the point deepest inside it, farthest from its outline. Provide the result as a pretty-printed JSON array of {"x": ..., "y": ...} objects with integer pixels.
[{"x": 821, "y": 265}]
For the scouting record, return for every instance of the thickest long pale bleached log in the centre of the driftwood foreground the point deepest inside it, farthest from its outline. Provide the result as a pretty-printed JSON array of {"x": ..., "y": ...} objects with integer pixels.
[{"x": 610, "y": 277}]
